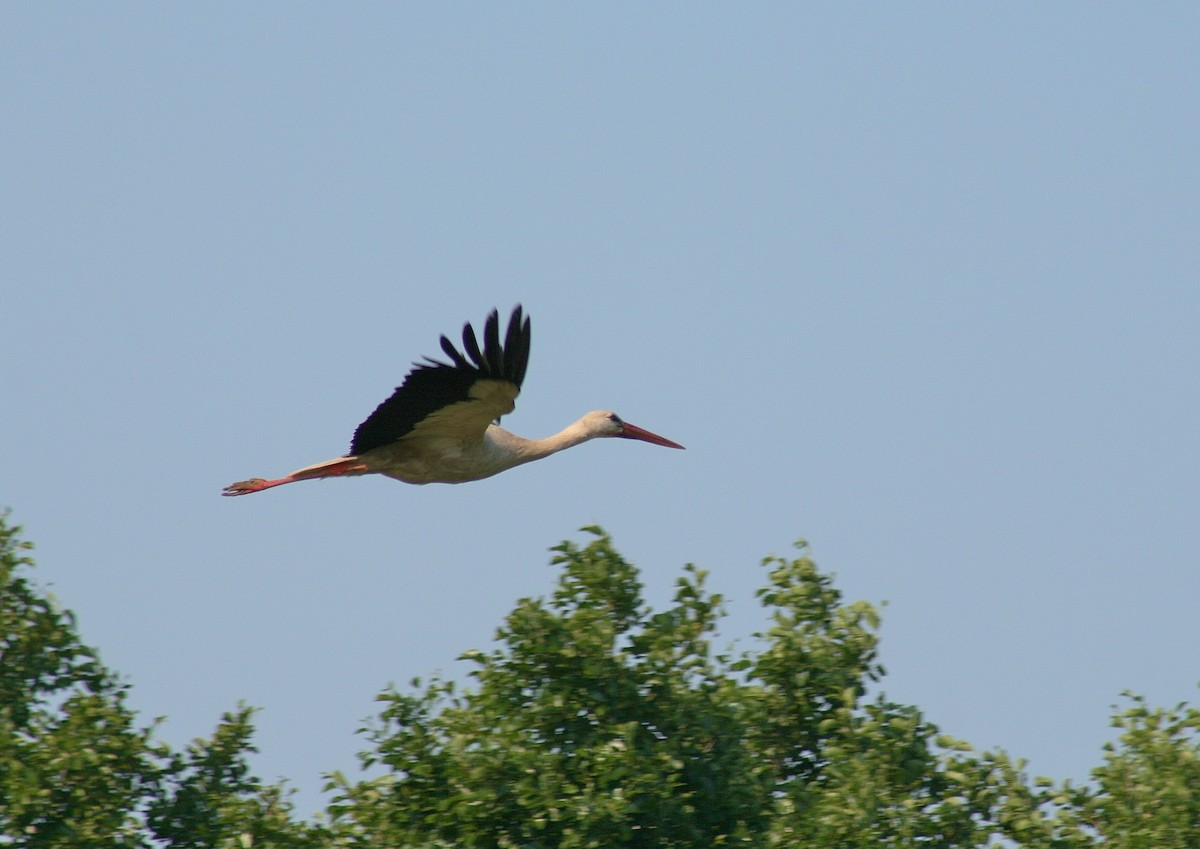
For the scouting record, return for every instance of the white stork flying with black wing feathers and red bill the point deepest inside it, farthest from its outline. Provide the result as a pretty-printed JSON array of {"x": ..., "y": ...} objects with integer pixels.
[{"x": 441, "y": 425}]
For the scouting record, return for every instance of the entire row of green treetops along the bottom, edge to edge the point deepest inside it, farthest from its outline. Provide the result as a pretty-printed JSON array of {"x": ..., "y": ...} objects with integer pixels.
[{"x": 593, "y": 721}]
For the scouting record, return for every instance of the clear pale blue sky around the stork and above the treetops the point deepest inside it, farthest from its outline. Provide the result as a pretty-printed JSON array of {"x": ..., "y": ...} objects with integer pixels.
[{"x": 915, "y": 282}]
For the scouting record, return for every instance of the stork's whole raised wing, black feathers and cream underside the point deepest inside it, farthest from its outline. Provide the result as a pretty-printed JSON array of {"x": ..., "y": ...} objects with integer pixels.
[{"x": 457, "y": 399}]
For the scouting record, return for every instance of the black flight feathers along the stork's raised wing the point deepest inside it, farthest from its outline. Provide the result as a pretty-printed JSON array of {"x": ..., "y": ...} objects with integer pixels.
[{"x": 433, "y": 384}]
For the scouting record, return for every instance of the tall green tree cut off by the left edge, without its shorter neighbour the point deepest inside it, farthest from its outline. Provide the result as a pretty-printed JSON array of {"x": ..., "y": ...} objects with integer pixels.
[{"x": 73, "y": 764}]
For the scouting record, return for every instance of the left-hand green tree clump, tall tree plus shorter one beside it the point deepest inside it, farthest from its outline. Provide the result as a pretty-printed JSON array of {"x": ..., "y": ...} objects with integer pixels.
[{"x": 76, "y": 770}]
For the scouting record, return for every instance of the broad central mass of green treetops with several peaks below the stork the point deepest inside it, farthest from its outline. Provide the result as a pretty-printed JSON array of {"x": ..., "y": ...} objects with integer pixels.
[{"x": 599, "y": 722}]
